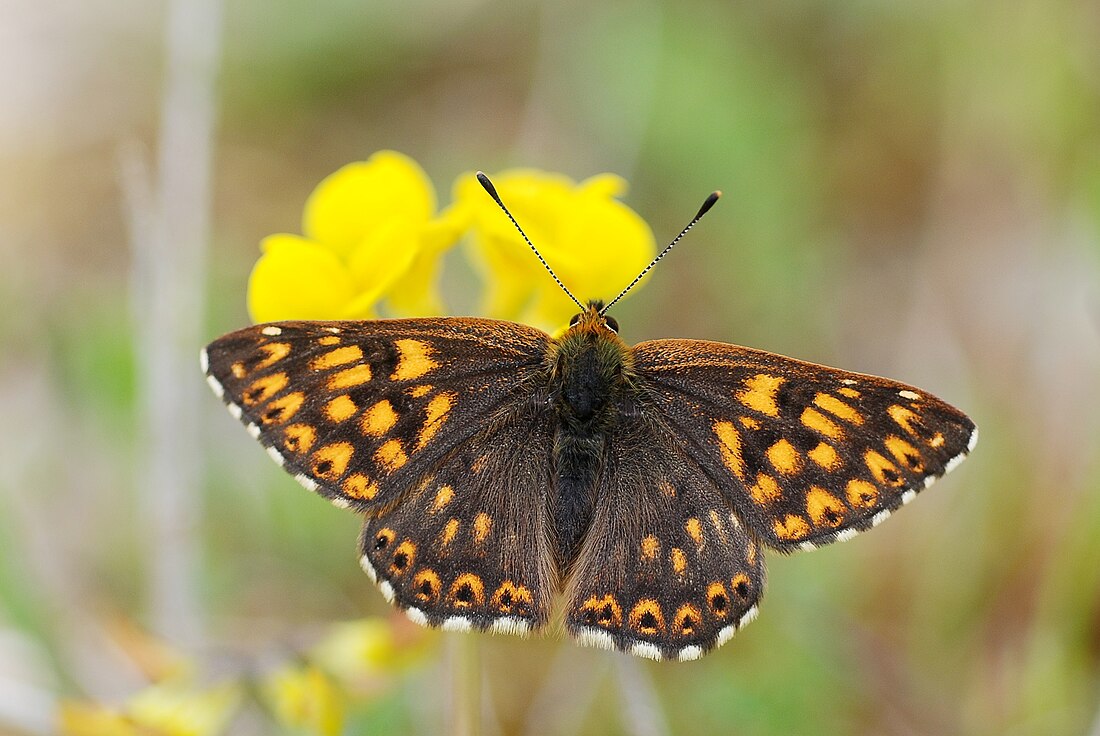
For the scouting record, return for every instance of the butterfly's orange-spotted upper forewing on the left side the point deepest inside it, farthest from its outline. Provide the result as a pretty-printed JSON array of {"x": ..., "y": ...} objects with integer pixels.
[{"x": 358, "y": 412}]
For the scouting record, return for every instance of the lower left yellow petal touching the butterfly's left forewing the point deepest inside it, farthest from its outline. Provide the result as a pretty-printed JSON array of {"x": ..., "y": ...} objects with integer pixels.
[{"x": 296, "y": 279}]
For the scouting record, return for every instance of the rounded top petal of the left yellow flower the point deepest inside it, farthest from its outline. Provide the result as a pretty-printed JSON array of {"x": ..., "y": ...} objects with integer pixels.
[{"x": 350, "y": 205}]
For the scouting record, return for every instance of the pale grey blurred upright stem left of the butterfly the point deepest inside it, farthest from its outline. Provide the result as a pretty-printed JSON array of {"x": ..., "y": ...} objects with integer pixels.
[{"x": 170, "y": 221}]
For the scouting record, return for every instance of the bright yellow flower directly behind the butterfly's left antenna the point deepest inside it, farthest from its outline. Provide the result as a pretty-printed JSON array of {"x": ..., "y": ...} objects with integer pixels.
[{"x": 596, "y": 244}]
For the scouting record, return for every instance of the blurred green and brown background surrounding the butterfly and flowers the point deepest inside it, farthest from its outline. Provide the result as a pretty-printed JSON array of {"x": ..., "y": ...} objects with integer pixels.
[{"x": 912, "y": 190}]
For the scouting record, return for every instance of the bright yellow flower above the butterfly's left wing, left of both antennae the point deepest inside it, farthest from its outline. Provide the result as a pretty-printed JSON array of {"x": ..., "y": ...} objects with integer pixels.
[{"x": 369, "y": 229}]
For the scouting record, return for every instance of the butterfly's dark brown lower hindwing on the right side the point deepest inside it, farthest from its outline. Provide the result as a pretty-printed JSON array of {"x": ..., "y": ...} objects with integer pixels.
[{"x": 666, "y": 572}]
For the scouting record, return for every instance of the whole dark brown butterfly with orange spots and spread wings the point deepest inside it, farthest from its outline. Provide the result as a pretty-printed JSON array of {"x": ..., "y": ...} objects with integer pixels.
[{"x": 500, "y": 468}]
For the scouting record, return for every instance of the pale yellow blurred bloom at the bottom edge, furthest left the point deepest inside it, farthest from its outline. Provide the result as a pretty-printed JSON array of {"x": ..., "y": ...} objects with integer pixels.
[{"x": 173, "y": 708}]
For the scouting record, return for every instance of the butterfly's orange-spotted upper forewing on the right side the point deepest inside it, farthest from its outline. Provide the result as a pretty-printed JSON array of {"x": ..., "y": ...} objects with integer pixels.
[{"x": 807, "y": 455}]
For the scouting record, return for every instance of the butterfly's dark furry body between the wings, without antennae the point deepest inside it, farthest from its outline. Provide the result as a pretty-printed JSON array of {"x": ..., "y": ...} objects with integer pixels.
[{"x": 591, "y": 375}]
